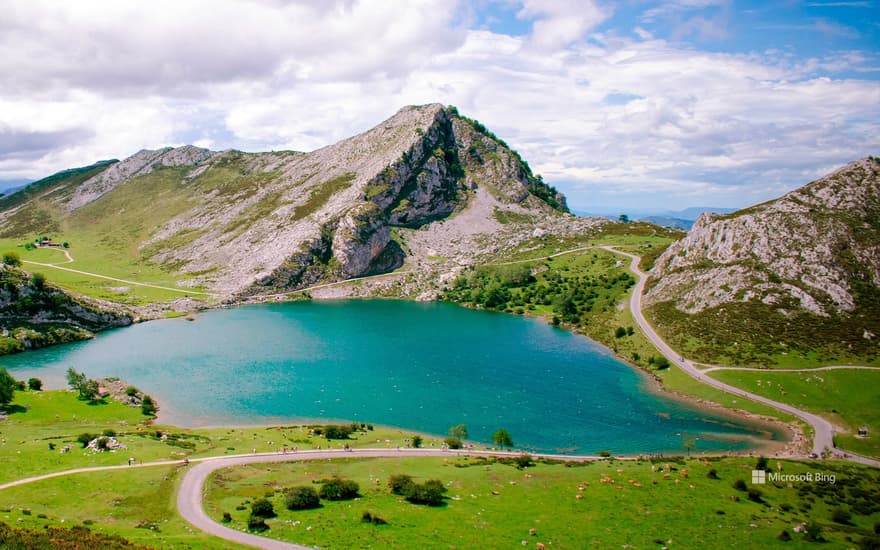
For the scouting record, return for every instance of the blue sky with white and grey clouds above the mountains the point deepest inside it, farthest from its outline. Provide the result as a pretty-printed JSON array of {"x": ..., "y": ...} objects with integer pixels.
[{"x": 625, "y": 106}]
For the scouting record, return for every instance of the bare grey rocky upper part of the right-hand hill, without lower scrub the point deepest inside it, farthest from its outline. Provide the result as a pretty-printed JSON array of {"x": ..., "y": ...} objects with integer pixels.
[{"x": 807, "y": 246}]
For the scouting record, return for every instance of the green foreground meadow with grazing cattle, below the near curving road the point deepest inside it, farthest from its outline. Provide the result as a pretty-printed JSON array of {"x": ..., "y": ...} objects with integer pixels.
[{"x": 493, "y": 505}]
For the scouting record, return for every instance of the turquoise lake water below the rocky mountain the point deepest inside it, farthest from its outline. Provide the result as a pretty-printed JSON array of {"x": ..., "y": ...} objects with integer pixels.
[{"x": 418, "y": 366}]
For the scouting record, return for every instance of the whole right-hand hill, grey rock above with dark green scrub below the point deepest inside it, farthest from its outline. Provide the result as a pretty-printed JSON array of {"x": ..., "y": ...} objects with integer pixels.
[{"x": 792, "y": 275}]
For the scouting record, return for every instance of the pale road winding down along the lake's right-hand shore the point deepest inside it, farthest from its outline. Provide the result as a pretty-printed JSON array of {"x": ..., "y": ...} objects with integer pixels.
[{"x": 823, "y": 431}]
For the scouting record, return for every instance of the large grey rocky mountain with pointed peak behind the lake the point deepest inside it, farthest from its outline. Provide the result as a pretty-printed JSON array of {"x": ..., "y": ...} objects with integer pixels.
[{"x": 246, "y": 224}]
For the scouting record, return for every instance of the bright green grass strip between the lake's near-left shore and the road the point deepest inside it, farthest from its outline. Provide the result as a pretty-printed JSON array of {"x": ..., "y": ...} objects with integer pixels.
[{"x": 37, "y": 419}]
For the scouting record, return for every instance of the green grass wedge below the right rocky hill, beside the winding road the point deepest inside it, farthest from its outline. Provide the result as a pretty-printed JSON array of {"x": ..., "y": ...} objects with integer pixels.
[{"x": 848, "y": 398}]
